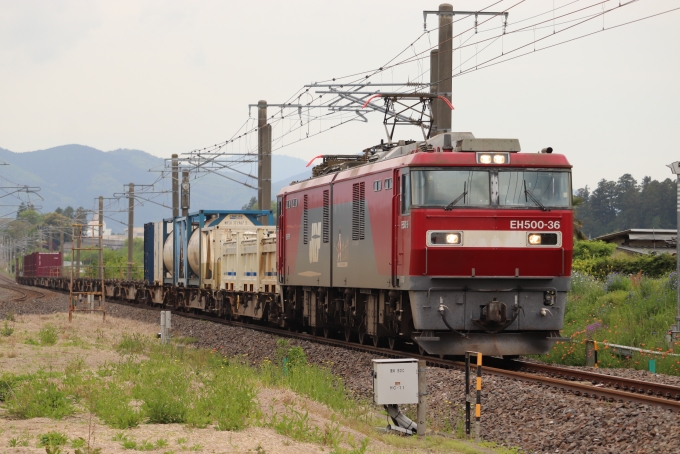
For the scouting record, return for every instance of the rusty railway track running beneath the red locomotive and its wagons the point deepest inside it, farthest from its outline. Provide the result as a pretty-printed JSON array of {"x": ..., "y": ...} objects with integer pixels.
[{"x": 586, "y": 384}]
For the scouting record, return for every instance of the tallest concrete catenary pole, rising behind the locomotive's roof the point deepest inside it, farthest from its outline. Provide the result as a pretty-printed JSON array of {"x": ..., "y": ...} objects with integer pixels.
[{"x": 445, "y": 66}]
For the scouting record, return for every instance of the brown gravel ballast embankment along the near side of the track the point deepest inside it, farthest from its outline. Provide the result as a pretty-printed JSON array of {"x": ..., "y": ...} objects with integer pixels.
[{"x": 515, "y": 414}]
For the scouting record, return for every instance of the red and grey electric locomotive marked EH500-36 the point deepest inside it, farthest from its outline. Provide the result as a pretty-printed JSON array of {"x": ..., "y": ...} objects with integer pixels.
[{"x": 456, "y": 243}]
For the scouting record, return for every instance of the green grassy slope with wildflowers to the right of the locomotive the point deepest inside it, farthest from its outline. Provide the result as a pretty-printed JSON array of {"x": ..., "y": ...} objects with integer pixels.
[{"x": 635, "y": 311}]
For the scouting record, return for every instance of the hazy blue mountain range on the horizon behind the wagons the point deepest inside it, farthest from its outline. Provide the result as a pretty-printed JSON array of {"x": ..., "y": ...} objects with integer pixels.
[{"x": 75, "y": 175}]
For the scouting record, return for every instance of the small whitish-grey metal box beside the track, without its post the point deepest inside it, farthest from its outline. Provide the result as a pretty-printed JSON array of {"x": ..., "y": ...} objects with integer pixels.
[{"x": 395, "y": 381}]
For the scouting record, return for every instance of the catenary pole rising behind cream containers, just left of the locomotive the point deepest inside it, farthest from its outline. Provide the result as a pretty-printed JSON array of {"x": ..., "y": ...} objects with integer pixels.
[{"x": 264, "y": 161}]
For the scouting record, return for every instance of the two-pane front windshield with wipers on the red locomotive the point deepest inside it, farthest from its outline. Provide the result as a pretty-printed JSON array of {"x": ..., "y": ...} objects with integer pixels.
[{"x": 521, "y": 188}]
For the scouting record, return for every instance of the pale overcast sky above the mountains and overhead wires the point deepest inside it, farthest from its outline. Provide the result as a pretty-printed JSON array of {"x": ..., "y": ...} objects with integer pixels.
[{"x": 170, "y": 76}]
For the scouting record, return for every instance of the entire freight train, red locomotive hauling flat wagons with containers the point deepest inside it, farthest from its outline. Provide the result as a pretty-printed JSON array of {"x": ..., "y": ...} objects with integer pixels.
[{"x": 454, "y": 243}]
